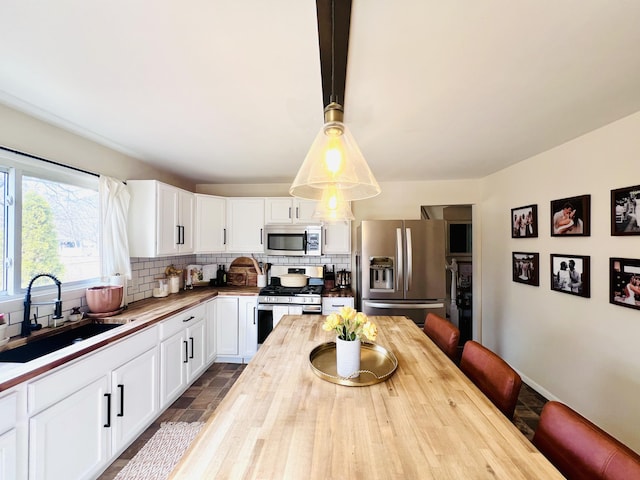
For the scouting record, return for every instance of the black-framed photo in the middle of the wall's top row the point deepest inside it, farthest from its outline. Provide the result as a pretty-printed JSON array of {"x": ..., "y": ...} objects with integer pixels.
[{"x": 571, "y": 216}]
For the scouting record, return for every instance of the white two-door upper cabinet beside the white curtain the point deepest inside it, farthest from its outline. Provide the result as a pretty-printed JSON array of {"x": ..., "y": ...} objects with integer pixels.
[{"x": 160, "y": 220}]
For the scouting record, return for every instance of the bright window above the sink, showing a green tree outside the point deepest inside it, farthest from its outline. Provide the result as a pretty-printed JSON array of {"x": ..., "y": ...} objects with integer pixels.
[{"x": 52, "y": 226}]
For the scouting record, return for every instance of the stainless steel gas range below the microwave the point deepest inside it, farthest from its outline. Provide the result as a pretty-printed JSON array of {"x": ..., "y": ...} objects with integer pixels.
[{"x": 275, "y": 300}]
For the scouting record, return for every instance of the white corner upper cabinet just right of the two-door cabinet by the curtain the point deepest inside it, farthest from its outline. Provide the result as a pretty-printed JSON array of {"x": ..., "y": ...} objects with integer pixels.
[{"x": 210, "y": 224}]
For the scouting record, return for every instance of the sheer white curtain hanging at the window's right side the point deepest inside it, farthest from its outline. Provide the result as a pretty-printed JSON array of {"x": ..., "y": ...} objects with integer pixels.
[{"x": 114, "y": 208}]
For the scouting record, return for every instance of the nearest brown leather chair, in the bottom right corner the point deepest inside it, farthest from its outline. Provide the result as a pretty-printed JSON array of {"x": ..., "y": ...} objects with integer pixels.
[{"x": 580, "y": 449}]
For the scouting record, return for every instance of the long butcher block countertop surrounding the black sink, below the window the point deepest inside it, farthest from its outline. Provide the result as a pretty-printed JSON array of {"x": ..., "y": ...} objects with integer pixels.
[{"x": 137, "y": 316}]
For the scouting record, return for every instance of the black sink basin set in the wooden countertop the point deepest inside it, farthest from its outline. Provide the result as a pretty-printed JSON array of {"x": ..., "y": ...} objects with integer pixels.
[{"x": 38, "y": 348}]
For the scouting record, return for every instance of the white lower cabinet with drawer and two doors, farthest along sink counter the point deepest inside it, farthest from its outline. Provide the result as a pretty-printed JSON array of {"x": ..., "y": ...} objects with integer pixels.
[{"x": 182, "y": 352}]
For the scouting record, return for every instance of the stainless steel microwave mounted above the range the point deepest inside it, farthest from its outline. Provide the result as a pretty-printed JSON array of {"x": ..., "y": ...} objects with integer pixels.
[{"x": 293, "y": 240}]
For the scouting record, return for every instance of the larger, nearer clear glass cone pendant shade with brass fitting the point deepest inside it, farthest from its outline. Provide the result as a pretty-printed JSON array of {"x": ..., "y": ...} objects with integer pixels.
[{"x": 334, "y": 160}]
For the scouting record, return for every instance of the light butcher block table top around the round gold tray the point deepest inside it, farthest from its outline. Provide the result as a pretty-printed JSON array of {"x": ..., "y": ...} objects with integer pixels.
[{"x": 281, "y": 421}]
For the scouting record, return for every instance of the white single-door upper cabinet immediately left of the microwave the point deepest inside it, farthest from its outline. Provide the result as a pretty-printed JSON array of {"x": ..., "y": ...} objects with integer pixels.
[{"x": 245, "y": 224}]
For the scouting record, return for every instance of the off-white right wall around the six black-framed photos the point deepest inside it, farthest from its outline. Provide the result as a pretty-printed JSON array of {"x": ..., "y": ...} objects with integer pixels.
[{"x": 582, "y": 351}]
